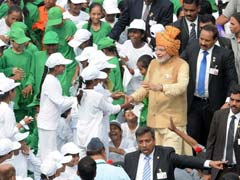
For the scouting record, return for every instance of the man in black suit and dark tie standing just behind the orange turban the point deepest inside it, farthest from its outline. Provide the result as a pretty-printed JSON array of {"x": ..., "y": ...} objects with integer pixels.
[{"x": 189, "y": 24}]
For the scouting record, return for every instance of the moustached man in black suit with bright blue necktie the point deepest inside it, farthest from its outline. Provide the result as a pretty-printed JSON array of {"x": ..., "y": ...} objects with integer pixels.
[{"x": 212, "y": 73}]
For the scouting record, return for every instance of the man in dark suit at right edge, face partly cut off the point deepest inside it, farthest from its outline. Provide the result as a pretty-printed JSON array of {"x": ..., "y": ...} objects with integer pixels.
[{"x": 224, "y": 136}]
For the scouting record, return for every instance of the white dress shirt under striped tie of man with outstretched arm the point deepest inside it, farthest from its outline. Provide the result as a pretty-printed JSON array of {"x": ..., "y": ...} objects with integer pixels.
[{"x": 141, "y": 163}]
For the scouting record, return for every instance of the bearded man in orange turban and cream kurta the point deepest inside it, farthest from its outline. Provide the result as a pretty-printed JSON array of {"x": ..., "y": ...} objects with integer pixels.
[{"x": 165, "y": 85}]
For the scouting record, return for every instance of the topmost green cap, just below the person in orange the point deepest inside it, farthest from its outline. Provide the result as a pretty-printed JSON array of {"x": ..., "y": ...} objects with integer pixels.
[{"x": 55, "y": 16}]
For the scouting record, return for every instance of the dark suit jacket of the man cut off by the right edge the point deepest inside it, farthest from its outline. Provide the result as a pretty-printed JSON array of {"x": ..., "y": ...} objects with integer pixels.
[{"x": 217, "y": 138}]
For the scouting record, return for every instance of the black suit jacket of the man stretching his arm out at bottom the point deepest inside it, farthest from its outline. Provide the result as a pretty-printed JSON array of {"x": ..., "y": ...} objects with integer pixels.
[{"x": 164, "y": 158}]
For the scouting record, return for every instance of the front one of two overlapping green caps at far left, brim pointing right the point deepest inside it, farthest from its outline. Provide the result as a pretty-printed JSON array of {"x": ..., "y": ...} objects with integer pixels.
[{"x": 18, "y": 36}]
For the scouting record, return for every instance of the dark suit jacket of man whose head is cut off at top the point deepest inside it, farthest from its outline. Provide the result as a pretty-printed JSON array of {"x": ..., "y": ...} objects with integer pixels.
[{"x": 161, "y": 11}]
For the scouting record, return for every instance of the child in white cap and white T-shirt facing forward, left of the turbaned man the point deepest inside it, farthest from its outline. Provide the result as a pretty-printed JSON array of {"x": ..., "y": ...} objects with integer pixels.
[{"x": 132, "y": 49}]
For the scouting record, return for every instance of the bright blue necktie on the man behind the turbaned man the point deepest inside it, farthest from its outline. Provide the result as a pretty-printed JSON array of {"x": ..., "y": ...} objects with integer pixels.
[{"x": 202, "y": 74}]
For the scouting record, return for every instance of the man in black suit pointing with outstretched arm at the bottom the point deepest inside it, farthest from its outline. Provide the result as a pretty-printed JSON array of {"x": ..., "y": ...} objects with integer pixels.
[{"x": 158, "y": 162}]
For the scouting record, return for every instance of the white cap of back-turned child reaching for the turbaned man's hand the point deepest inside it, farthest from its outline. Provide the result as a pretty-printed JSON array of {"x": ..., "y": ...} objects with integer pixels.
[{"x": 91, "y": 72}]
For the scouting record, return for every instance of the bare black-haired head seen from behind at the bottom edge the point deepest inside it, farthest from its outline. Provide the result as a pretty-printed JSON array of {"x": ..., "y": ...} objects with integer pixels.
[{"x": 87, "y": 168}]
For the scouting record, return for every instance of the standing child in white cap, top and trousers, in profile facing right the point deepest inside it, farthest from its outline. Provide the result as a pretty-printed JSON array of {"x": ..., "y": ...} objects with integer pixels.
[{"x": 52, "y": 105}]
